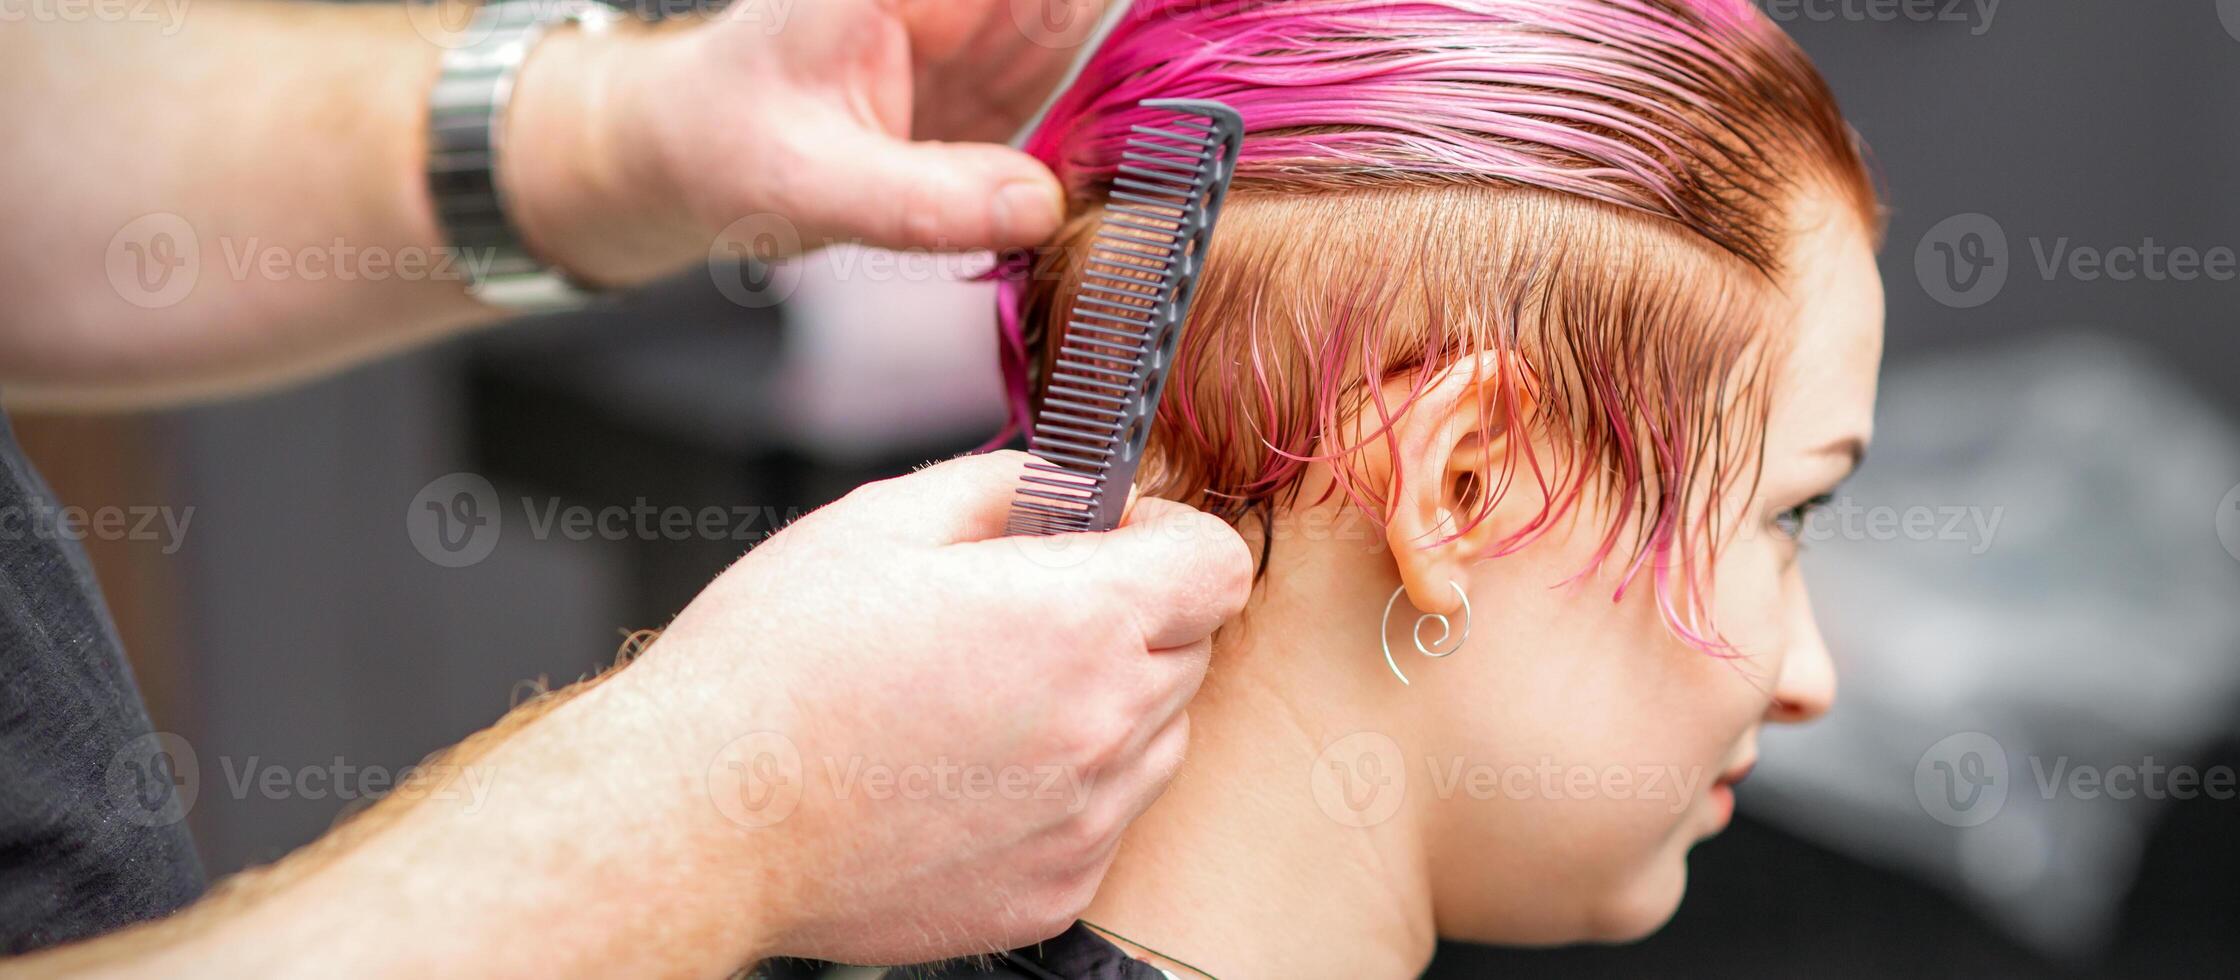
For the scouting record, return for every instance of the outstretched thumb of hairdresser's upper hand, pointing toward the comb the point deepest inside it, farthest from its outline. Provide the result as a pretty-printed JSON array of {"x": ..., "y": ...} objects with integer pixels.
[{"x": 897, "y": 194}]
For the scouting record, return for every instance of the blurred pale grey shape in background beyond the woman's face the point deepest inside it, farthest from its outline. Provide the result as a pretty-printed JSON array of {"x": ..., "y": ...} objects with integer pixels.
[{"x": 2035, "y": 628}]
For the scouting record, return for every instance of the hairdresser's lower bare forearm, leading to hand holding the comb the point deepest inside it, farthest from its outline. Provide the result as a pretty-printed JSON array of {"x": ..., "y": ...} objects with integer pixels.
[{"x": 539, "y": 854}]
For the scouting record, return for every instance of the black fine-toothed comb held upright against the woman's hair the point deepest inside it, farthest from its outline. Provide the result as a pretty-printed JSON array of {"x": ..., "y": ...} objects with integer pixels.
[{"x": 1128, "y": 319}]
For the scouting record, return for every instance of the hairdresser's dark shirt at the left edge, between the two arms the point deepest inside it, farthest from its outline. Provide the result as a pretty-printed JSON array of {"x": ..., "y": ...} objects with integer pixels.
[{"x": 93, "y": 813}]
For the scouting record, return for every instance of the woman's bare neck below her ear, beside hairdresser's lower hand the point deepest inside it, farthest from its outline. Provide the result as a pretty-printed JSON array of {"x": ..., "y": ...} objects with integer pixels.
[{"x": 1249, "y": 867}]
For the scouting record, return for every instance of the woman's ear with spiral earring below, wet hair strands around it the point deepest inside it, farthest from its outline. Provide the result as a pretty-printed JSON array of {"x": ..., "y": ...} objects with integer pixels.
[{"x": 1448, "y": 451}]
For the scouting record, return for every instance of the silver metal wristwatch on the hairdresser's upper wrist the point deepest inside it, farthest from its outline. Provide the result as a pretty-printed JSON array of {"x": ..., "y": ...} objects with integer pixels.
[{"x": 465, "y": 140}]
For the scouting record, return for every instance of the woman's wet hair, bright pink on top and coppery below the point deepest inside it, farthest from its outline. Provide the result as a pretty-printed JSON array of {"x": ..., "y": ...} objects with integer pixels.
[{"x": 1603, "y": 182}]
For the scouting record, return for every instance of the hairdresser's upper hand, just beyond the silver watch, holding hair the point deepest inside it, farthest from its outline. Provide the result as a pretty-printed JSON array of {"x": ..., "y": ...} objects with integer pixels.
[{"x": 644, "y": 147}]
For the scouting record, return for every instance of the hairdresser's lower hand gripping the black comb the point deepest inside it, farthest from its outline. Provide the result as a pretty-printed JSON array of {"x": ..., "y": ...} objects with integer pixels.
[{"x": 962, "y": 726}]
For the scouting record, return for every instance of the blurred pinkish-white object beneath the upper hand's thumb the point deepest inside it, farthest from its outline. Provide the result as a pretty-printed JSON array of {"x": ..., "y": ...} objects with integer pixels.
[{"x": 890, "y": 352}]
